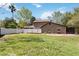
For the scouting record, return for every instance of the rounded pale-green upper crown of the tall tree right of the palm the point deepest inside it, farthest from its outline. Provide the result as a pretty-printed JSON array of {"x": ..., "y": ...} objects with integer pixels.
[{"x": 24, "y": 14}]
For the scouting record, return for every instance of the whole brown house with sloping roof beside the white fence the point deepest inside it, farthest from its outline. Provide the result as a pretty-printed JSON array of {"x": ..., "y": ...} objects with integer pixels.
[{"x": 50, "y": 27}]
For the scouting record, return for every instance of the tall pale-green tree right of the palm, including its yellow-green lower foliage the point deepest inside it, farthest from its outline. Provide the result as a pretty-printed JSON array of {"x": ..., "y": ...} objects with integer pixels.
[{"x": 23, "y": 15}]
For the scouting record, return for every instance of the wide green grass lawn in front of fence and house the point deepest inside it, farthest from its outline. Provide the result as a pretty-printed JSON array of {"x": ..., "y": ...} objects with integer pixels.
[{"x": 39, "y": 45}]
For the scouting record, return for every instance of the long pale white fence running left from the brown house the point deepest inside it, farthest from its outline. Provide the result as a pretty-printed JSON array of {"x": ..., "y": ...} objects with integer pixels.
[{"x": 14, "y": 31}]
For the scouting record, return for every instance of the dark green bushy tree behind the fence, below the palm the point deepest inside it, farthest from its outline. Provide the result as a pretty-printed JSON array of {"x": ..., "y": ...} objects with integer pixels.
[{"x": 9, "y": 23}]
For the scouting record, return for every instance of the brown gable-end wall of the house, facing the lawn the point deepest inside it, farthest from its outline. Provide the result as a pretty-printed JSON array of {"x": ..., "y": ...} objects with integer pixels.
[{"x": 53, "y": 28}]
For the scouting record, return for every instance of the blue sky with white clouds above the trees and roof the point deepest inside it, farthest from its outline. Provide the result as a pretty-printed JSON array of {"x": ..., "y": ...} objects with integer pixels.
[{"x": 39, "y": 10}]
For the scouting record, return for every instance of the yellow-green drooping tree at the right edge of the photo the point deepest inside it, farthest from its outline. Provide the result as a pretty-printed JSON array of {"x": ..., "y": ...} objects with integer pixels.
[{"x": 75, "y": 19}]
